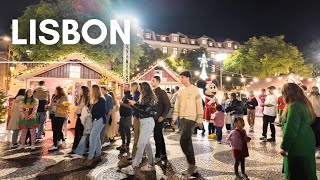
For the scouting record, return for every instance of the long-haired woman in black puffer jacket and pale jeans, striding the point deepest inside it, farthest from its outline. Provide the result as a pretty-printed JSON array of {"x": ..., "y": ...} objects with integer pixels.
[{"x": 146, "y": 111}]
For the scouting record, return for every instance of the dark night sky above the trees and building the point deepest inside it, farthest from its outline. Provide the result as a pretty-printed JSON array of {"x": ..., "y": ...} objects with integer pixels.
[{"x": 239, "y": 20}]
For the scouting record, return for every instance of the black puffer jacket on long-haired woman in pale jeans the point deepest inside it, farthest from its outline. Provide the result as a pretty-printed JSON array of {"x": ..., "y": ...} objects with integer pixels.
[{"x": 146, "y": 110}]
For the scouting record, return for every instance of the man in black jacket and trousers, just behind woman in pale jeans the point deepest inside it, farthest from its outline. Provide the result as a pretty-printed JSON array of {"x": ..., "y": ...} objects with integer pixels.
[{"x": 163, "y": 108}]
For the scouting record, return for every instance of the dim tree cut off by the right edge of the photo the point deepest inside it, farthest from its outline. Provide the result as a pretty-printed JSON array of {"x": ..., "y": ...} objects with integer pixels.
[{"x": 312, "y": 55}]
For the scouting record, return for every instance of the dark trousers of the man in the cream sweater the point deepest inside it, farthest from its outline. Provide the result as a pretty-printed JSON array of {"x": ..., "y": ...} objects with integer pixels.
[{"x": 187, "y": 127}]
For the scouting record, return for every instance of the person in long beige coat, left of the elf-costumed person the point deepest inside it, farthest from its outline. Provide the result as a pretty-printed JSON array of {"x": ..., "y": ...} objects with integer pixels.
[{"x": 15, "y": 116}]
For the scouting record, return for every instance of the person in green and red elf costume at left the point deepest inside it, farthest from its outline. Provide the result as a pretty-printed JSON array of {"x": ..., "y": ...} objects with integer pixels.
[{"x": 28, "y": 118}]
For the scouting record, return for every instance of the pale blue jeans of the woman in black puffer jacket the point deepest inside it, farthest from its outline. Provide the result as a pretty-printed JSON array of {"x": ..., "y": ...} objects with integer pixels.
[{"x": 146, "y": 127}]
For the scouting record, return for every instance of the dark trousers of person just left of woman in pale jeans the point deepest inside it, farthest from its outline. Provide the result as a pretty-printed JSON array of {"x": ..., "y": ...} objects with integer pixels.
[{"x": 124, "y": 128}]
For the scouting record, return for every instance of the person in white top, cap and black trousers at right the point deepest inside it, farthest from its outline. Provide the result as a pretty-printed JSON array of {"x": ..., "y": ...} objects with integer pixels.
[{"x": 269, "y": 115}]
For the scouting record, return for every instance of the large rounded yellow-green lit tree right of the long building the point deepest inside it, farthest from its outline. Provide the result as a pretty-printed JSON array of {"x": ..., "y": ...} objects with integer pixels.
[{"x": 265, "y": 56}]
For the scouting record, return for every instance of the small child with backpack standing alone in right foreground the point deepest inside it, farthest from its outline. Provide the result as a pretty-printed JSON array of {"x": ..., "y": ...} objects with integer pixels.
[{"x": 238, "y": 139}]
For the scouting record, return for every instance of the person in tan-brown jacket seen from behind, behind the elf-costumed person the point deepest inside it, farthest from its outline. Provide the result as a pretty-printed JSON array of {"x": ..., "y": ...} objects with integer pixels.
[{"x": 43, "y": 95}]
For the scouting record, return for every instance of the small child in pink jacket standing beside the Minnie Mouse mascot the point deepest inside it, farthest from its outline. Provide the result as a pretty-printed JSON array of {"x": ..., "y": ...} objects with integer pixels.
[{"x": 218, "y": 120}]
